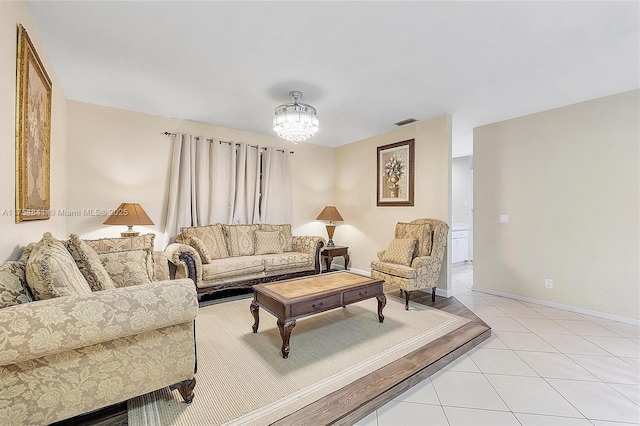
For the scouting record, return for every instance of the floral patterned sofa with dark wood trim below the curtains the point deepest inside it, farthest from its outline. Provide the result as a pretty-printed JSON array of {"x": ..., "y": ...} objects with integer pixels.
[{"x": 239, "y": 256}]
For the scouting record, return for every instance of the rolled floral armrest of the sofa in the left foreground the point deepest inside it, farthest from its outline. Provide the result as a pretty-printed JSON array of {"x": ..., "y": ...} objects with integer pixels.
[{"x": 37, "y": 329}]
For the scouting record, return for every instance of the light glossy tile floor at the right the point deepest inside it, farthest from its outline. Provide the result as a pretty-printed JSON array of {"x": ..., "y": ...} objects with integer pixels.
[{"x": 542, "y": 366}]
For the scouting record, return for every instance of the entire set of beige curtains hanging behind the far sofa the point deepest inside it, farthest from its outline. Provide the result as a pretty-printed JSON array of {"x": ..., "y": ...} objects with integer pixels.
[{"x": 221, "y": 182}]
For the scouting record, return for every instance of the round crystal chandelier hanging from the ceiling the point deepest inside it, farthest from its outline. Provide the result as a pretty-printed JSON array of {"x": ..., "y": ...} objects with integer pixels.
[{"x": 295, "y": 122}]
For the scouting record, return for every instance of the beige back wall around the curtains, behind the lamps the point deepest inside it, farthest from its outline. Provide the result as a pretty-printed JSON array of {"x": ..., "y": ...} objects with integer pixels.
[{"x": 123, "y": 156}]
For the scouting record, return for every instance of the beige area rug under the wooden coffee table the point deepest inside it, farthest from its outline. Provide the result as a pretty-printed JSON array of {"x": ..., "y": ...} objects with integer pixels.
[{"x": 243, "y": 379}]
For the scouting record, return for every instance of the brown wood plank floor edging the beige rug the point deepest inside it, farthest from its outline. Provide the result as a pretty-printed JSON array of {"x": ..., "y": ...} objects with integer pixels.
[{"x": 357, "y": 400}]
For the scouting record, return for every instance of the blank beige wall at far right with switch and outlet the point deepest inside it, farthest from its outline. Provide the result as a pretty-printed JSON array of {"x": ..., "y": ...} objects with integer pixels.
[{"x": 569, "y": 180}]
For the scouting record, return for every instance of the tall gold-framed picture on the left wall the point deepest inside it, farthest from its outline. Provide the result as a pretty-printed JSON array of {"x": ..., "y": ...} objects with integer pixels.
[{"x": 33, "y": 133}]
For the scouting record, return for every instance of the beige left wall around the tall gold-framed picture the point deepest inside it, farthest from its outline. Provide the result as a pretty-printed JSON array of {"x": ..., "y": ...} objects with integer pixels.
[{"x": 14, "y": 236}]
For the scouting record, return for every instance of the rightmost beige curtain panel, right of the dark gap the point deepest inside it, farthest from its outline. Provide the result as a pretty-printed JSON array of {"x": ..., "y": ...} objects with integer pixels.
[{"x": 276, "y": 205}]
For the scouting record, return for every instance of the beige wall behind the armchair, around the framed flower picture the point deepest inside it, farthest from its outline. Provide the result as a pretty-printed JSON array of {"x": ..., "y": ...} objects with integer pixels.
[{"x": 367, "y": 228}]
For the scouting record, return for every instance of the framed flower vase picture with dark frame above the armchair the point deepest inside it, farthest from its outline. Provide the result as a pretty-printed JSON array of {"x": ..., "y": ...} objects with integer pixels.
[{"x": 395, "y": 174}]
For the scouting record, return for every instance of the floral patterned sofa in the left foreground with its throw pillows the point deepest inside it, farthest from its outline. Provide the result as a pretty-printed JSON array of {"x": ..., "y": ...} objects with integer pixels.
[{"x": 87, "y": 324}]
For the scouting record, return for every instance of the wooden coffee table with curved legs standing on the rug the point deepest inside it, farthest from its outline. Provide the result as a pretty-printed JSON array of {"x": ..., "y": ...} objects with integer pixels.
[{"x": 290, "y": 300}]
